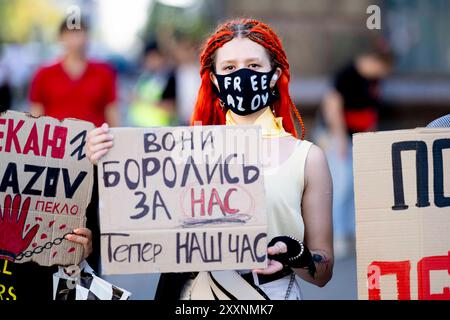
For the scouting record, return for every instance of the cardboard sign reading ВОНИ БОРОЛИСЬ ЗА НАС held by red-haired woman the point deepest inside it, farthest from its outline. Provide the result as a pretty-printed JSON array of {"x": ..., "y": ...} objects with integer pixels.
[{"x": 182, "y": 199}]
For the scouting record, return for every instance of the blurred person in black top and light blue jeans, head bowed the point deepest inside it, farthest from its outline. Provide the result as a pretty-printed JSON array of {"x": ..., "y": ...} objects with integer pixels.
[{"x": 351, "y": 106}]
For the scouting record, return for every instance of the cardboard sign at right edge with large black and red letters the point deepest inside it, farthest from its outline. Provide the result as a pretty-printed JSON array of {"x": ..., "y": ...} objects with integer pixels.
[{"x": 402, "y": 198}]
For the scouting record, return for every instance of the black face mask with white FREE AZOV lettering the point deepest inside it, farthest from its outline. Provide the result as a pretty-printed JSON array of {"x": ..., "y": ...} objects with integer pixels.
[{"x": 246, "y": 91}]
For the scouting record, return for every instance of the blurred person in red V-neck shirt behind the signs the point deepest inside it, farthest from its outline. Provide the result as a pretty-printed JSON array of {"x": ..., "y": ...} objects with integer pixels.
[{"x": 75, "y": 87}]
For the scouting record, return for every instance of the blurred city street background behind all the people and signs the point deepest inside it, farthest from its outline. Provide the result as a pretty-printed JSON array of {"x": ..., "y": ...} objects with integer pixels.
[{"x": 320, "y": 36}]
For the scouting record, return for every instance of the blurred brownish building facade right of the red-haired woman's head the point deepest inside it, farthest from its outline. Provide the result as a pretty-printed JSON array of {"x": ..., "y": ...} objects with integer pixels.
[{"x": 320, "y": 36}]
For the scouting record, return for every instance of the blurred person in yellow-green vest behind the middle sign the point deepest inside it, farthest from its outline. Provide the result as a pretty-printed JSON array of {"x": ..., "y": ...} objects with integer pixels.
[{"x": 154, "y": 101}]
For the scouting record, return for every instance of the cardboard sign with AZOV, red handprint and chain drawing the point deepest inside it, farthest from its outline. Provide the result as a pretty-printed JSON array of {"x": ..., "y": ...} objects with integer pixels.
[{"x": 45, "y": 187}]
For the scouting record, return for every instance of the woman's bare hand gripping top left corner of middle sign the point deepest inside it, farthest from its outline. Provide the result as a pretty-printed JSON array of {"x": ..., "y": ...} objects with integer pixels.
[{"x": 99, "y": 141}]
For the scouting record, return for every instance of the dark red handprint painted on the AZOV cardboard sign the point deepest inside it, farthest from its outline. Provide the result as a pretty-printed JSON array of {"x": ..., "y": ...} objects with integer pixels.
[{"x": 12, "y": 241}]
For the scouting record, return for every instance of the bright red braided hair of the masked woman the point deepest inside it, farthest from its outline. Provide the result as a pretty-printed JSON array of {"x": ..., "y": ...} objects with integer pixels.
[{"x": 207, "y": 109}]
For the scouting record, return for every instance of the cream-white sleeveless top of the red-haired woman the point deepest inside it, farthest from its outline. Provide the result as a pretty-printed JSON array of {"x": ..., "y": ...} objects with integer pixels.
[{"x": 284, "y": 189}]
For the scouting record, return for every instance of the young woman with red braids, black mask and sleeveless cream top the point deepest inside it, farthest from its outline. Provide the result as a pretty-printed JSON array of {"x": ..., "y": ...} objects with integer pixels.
[{"x": 245, "y": 79}]
